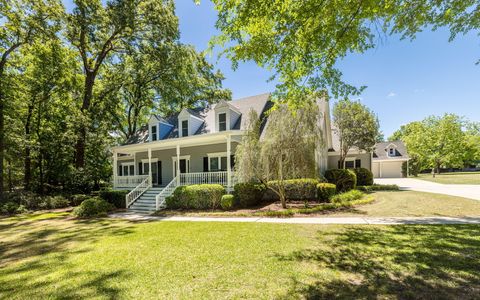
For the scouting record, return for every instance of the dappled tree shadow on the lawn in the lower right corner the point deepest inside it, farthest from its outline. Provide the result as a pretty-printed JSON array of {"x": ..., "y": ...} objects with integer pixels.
[{"x": 404, "y": 262}]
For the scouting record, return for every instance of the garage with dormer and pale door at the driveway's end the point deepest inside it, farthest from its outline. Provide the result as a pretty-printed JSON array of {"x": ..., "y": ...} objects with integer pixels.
[{"x": 388, "y": 159}]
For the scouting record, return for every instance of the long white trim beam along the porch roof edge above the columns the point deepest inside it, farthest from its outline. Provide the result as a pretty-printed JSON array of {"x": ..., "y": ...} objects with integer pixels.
[{"x": 189, "y": 141}]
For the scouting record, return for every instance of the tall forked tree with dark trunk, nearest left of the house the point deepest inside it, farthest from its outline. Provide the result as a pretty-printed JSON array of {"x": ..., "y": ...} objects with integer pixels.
[{"x": 99, "y": 31}]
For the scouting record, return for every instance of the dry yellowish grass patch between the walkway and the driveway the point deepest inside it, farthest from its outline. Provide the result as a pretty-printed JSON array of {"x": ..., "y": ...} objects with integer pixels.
[{"x": 414, "y": 204}]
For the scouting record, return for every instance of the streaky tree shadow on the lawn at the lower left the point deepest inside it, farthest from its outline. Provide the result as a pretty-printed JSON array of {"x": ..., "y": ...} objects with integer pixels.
[{"x": 35, "y": 254}]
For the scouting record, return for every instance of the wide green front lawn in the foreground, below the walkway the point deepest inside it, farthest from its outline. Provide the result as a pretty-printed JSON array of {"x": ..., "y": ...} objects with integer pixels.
[{"x": 58, "y": 257}]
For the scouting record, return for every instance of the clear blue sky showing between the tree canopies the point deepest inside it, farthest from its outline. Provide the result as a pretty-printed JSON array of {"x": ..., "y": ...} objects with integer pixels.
[{"x": 406, "y": 81}]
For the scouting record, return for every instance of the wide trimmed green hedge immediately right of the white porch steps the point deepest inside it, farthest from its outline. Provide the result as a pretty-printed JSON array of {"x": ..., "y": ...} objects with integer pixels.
[{"x": 198, "y": 196}]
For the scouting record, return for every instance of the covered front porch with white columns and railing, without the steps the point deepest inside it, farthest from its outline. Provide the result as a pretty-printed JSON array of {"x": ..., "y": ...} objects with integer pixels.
[{"x": 195, "y": 159}]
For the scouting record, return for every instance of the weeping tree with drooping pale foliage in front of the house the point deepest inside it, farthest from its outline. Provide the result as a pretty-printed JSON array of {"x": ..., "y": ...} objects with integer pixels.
[{"x": 287, "y": 150}]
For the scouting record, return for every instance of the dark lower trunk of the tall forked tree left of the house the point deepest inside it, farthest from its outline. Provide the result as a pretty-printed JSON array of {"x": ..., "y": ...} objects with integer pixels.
[{"x": 82, "y": 131}]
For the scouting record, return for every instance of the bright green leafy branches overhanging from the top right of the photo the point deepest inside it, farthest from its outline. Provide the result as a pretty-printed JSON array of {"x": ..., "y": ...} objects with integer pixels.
[{"x": 301, "y": 41}]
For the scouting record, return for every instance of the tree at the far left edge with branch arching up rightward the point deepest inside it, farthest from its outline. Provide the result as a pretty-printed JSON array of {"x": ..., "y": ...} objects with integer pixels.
[{"x": 23, "y": 21}]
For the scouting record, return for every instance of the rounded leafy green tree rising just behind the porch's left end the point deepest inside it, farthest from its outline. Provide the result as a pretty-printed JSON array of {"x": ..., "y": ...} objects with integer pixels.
[{"x": 165, "y": 79}]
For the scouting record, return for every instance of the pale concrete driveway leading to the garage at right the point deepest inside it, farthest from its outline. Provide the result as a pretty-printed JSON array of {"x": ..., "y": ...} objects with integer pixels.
[{"x": 410, "y": 184}]
